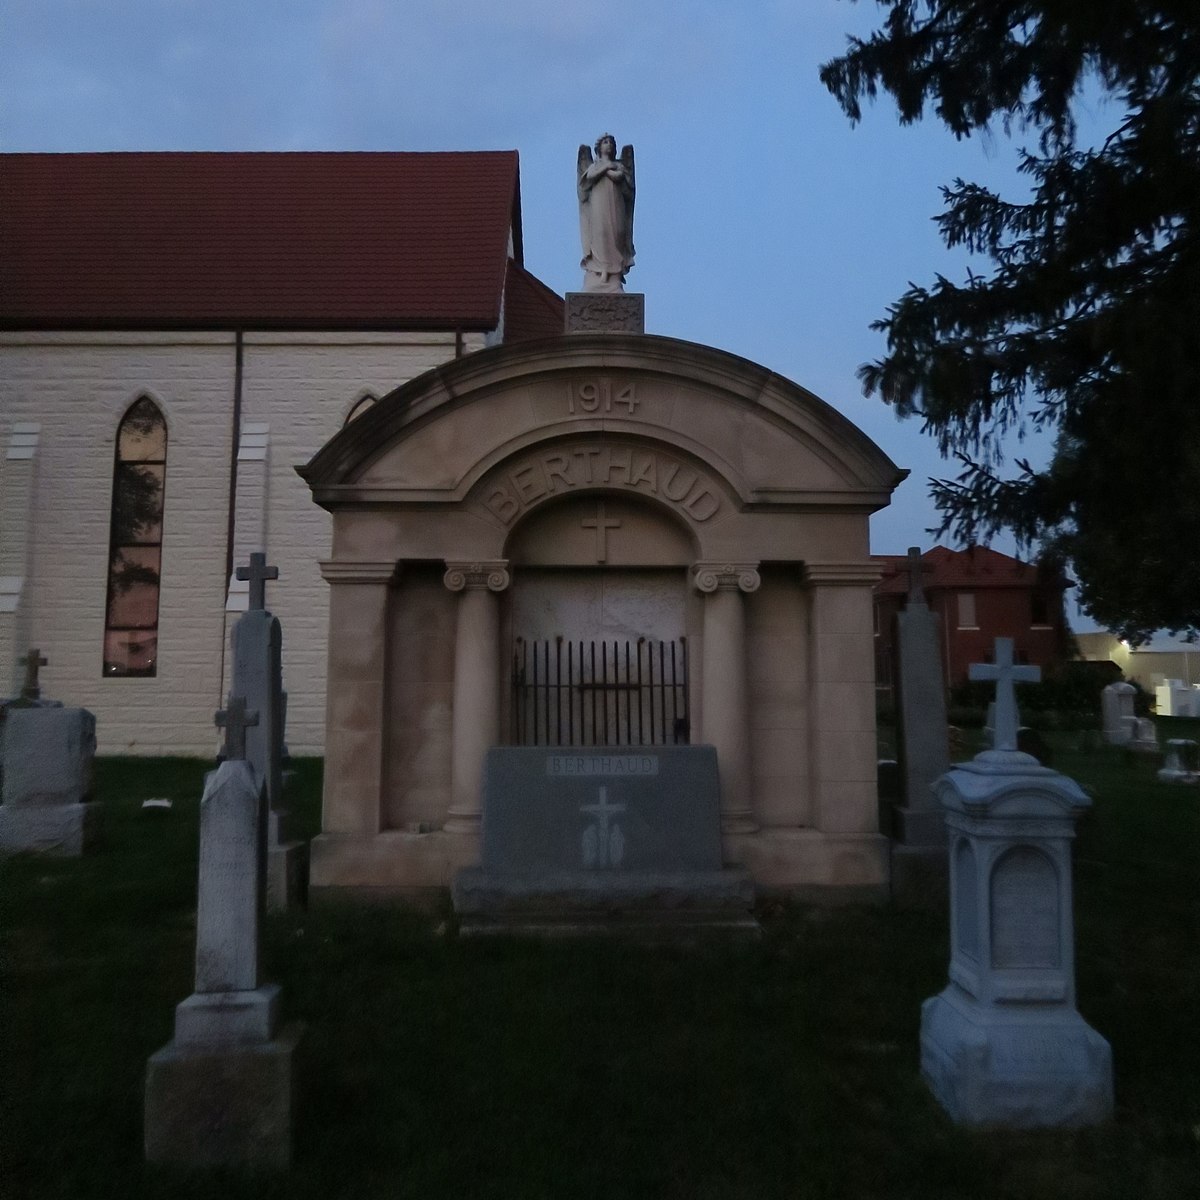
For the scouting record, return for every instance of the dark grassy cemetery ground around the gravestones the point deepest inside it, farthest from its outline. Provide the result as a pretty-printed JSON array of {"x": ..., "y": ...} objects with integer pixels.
[{"x": 435, "y": 1066}]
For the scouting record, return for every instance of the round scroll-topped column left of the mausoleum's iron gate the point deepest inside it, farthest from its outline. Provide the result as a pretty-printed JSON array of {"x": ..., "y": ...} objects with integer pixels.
[{"x": 477, "y": 685}]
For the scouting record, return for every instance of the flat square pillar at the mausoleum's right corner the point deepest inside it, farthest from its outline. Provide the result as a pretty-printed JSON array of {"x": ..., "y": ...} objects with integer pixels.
[{"x": 842, "y": 698}]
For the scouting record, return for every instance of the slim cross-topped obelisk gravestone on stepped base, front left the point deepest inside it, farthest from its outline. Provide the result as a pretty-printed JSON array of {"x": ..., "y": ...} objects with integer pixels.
[{"x": 221, "y": 1094}]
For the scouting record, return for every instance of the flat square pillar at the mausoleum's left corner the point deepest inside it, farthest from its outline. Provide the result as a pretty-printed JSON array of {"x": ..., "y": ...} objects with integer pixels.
[{"x": 356, "y": 703}]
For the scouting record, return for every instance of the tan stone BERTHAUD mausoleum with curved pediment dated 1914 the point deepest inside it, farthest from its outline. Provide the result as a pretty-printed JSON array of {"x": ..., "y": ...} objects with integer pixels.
[{"x": 601, "y": 539}]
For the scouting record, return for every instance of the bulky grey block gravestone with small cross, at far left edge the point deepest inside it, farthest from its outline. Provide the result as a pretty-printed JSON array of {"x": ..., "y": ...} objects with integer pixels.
[{"x": 47, "y": 763}]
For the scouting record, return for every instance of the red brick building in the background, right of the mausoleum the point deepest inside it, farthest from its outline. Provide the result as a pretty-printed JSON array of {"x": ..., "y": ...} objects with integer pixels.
[{"x": 980, "y": 596}]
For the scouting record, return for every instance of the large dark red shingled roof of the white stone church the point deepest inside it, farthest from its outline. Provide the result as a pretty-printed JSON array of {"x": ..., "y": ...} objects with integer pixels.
[{"x": 256, "y": 241}]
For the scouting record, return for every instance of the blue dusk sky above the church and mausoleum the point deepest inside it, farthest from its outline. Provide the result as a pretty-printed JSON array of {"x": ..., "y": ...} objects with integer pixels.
[{"x": 766, "y": 224}]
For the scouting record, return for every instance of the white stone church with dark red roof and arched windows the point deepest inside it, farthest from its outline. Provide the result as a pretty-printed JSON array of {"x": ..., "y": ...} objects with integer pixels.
[{"x": 178, "y": 333}]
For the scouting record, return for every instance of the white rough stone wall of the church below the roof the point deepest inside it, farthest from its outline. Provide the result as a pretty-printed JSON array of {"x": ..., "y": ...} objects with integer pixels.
[{"x": 55, "y": 529}]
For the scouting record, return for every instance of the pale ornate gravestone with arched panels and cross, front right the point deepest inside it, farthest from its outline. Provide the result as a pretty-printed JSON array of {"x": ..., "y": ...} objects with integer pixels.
[{"x": 1004, "y": 1045}]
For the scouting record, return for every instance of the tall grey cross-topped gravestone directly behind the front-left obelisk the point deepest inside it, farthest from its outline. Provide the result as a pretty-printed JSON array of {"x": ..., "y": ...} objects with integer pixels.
[{"x": 259, "y": 677}]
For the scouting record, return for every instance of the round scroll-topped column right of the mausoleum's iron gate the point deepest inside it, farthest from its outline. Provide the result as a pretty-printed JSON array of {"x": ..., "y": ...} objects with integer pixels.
[{"x": 725, "y": 706}]
